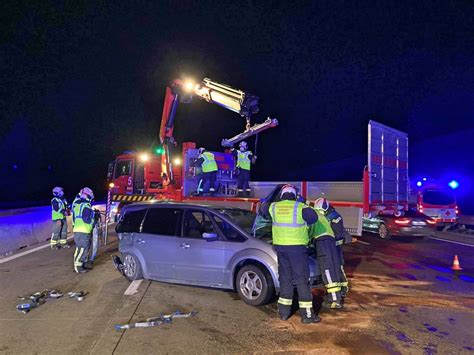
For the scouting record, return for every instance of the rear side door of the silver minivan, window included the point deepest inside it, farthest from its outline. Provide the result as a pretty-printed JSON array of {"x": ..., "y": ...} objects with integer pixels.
[{"x": 158, "y": 240}]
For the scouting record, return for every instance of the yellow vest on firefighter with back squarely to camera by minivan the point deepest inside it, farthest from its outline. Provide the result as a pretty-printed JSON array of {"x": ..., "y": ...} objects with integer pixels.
[{"x": 288, "y": 226}]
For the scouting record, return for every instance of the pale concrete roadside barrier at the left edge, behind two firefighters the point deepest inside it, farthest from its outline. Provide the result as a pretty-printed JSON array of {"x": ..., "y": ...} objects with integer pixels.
[{"x": 22, "y": 228}]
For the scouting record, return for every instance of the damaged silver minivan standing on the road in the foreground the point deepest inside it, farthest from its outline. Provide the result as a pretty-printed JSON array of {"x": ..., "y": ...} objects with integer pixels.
[{"x": 200, "y": 245}]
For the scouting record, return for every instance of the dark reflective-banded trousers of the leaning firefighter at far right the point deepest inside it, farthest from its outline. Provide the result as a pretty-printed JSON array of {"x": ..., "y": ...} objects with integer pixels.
[{"x": 328, "y": 259}]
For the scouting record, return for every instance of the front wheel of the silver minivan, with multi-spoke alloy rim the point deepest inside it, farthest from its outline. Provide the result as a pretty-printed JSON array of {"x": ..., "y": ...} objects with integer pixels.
[{"x": 254, "y": 285}]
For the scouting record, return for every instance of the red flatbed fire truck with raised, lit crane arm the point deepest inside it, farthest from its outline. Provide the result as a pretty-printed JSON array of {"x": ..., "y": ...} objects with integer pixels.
[{"x": 172, "y": 175}]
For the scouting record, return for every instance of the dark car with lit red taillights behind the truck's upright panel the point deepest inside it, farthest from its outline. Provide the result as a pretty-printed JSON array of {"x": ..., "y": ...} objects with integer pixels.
[{"x": 409, "y": 223}]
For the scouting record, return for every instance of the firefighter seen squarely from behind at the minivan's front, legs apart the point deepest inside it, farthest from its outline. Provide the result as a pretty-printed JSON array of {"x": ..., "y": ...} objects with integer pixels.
[{"x": 290, "y": 220}]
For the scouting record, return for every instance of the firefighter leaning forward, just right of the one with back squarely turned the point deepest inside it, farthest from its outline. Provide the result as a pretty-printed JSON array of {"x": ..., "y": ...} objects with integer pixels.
[{"x": 324, "y": 241}]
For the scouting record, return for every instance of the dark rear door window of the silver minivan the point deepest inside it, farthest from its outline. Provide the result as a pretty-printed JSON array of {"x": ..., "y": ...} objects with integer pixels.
[{"x": 162, "y": 221}]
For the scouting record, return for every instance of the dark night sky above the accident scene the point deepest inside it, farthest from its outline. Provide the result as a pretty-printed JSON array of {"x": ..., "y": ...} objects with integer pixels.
[{"x": 82, "y": 81}]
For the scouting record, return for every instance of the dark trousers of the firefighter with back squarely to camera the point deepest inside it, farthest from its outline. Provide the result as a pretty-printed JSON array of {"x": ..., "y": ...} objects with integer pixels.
[{"x": 293, "y": 270}]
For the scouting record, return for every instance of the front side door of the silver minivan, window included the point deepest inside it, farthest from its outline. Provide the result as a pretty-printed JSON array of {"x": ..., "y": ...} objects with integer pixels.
[{"x": 199, "y": 261}]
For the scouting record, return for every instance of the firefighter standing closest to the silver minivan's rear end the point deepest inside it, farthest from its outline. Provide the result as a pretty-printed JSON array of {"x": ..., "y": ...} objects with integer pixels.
[{"x": 84, "y": 220}]
